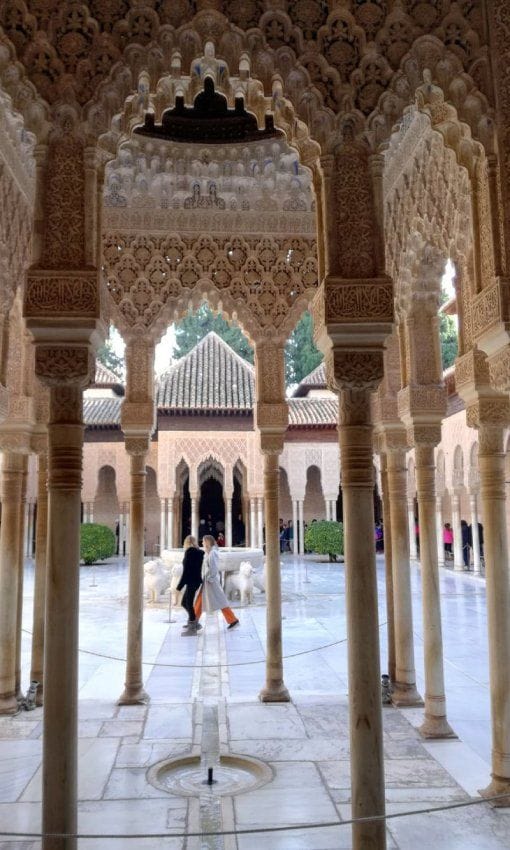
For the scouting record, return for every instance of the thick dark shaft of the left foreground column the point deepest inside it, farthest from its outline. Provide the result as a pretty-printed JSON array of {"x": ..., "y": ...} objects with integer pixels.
[{"x": 60, "y": 731}]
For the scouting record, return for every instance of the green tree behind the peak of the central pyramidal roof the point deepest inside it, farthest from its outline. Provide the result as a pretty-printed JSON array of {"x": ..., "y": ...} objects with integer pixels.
[{"x": 195, "y": 326}]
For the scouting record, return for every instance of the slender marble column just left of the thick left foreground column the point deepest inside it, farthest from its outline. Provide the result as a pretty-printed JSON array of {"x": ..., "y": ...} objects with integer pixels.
[{"x": 41, "y": 542}]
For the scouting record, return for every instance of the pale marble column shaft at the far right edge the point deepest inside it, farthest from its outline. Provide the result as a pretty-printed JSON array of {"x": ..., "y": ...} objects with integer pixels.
[{"x": 497, "y": 584}]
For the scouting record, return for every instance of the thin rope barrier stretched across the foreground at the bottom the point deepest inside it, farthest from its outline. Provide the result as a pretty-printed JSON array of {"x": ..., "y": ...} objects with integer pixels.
[{"x": 262, "y": 829}]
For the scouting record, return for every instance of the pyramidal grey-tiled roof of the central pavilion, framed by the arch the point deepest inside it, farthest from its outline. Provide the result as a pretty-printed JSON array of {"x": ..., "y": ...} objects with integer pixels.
[{"x": 211, "y": 377}]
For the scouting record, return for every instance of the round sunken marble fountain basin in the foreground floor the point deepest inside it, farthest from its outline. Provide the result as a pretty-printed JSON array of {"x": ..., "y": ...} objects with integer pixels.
[{"x": 186, "y": 776}]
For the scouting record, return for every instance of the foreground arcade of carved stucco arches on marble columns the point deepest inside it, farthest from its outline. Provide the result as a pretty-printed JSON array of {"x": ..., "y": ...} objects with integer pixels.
[{"x": 393, "y": 203}]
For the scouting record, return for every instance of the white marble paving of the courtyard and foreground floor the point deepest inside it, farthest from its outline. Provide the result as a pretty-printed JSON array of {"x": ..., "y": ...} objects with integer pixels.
[{"x": 204, "y": 703}]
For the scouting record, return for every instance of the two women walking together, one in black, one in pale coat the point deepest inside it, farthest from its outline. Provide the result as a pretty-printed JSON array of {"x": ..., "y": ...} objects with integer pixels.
[{"x": 201, "y": 584}]
